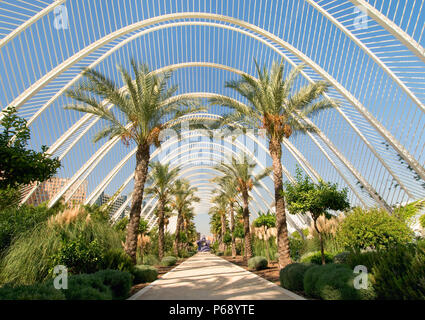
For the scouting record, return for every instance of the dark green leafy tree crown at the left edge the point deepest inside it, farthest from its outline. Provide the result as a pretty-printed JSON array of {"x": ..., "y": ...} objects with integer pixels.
[{"x": 18, "y": 165}]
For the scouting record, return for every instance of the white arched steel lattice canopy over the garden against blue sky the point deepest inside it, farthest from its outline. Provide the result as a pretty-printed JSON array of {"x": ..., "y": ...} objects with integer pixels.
[{"x": 372, "y": 52}]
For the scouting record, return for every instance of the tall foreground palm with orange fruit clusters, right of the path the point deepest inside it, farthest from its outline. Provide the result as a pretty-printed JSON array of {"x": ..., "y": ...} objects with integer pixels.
[{"x": 274, "y": 105}]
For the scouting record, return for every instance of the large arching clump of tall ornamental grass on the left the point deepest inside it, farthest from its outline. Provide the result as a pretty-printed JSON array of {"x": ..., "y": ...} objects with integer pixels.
[{"x": 31, "y": 256}]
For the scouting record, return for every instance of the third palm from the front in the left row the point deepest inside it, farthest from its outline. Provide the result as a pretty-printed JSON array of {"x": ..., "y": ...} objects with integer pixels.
[{"x": 184, "y": 196}]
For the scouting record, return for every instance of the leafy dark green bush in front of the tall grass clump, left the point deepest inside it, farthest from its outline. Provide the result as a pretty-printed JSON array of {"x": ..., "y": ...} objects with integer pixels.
[{"x": 79, "y": 255}]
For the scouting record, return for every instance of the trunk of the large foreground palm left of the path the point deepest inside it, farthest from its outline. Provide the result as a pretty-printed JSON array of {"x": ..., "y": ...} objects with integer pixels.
[{"x": 140, "y": 174}]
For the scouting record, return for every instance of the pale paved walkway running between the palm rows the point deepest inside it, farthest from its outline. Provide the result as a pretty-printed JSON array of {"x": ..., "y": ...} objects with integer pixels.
[{"x": 208, "y": 277}]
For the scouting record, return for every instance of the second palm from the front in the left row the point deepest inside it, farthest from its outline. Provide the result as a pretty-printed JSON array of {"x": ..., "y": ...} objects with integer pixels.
[{"x": 160, "y": 185}]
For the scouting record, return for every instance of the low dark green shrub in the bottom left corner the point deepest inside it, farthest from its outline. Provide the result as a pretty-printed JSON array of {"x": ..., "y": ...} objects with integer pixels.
[{"x": 33, "y": 292}]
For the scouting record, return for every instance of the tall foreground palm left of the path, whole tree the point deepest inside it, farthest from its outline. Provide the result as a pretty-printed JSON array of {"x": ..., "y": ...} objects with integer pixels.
[{"x": 147, "y": 106}]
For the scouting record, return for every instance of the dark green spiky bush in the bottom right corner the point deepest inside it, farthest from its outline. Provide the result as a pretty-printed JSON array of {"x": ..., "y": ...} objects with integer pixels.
[{"x": 399, "y": 273}]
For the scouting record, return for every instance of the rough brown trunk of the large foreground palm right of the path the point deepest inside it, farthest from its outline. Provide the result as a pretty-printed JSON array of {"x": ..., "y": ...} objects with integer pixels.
[{"x": 282, "y": 229}]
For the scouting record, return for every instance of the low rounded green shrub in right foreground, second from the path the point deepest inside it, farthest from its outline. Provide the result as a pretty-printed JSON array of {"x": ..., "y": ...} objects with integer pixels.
[{"x": 334, "y": 282}]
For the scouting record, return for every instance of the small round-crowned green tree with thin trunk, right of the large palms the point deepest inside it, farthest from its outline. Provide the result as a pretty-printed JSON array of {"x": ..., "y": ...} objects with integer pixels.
[{"x": 305, "y": 196}]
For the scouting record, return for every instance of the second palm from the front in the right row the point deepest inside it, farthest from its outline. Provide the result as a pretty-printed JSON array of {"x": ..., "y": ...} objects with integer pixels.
[{"x": 240, "y": 171}]
